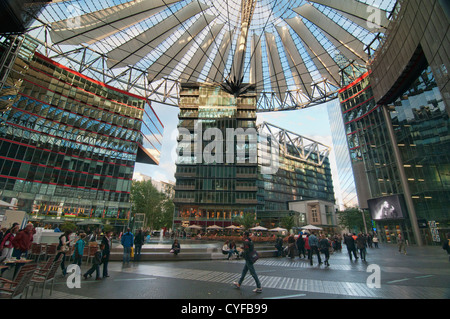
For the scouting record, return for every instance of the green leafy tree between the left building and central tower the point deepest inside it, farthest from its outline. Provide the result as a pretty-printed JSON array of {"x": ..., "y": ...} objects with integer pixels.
[{"x": 156, "y": 206}]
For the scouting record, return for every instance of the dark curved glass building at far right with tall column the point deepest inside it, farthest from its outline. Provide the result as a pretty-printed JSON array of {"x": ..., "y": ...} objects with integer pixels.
[{"x": 396, "y": 117}]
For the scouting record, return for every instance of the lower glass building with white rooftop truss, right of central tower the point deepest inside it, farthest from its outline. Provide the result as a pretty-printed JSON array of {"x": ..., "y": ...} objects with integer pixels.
[{"x": 302, "y": 173}]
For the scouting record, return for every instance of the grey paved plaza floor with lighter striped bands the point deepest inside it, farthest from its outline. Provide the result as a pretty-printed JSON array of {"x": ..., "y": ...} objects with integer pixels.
[{"x": 424, "y": 273}]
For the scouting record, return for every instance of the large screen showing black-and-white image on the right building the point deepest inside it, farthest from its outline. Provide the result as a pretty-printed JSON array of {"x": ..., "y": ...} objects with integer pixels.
[{"x": 388, "y": 207}]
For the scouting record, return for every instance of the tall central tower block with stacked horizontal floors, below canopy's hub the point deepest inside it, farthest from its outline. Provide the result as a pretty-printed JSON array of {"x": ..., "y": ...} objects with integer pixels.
[{"x": 214, "y": 191}]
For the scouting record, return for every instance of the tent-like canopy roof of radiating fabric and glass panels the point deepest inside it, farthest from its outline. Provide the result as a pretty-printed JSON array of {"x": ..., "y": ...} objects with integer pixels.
[{"x": 291, "y": 51}]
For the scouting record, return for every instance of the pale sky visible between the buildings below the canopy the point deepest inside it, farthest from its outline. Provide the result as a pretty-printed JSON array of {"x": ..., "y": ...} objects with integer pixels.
[{"x": 311, "y": 122}]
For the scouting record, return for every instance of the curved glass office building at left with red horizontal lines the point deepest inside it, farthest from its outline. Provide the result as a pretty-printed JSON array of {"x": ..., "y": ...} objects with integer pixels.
[{"x": 68, "y": 143}]
